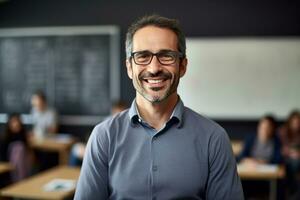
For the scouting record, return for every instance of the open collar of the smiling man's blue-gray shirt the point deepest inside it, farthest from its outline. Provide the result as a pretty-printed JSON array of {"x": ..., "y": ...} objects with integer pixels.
[{"x": 176, "y": 115}]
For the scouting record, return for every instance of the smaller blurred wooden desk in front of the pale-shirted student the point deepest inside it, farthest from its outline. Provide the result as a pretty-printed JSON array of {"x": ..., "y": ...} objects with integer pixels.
[{"x": 57, "y": 143}]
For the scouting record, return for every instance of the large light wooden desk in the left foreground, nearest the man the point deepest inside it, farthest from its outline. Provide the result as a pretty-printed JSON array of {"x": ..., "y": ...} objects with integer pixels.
[{"x": 32, "y": 187}]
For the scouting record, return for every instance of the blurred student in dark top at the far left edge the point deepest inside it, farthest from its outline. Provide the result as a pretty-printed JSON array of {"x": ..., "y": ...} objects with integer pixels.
[{"x": 14, "y": 148}]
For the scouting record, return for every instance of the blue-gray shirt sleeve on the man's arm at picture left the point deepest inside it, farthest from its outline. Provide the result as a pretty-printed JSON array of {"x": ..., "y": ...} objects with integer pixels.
[{"x": 93, "y": 180}]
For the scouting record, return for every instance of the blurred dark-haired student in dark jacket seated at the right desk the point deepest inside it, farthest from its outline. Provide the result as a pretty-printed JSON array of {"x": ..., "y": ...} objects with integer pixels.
[{"x": 263, "y": 147}]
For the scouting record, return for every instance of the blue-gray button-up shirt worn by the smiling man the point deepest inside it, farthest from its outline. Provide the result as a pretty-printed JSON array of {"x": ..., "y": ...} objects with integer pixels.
[{"x": 189, "y": 158}]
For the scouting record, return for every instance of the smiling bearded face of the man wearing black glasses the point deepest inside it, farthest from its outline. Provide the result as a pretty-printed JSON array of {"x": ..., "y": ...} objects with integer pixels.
[{"x": 155, "y": 82}]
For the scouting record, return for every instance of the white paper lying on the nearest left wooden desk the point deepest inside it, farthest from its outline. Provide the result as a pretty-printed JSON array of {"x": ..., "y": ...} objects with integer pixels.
[{"x": 57, "y": 185}]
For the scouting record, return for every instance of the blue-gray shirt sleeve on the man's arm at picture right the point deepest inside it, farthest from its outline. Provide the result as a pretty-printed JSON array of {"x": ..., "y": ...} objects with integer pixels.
[{"x": 223, "y": 180}]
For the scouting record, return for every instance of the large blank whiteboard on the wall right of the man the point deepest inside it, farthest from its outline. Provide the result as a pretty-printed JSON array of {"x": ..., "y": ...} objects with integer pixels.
[{"x": 235, "y": 78}]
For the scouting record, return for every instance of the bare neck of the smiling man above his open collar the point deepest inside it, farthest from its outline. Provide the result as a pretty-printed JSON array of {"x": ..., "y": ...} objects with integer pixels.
[{"x": 156, "y": 114}]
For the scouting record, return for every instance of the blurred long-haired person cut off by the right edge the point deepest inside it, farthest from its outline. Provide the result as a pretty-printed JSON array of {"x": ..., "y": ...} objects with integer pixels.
[{"x": 290, "y": 137}]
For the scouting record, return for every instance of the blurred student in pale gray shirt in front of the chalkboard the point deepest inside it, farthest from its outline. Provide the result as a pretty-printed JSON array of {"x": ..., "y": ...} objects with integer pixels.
[{"x": 44, "y": 118}]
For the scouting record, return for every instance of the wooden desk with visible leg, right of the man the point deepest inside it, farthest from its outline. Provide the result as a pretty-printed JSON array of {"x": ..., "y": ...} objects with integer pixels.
[{"x": 263, "y": 172}]
